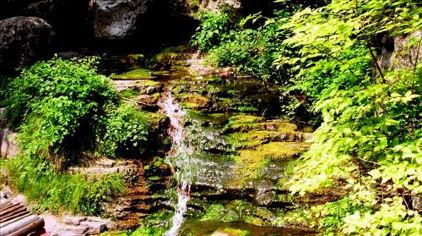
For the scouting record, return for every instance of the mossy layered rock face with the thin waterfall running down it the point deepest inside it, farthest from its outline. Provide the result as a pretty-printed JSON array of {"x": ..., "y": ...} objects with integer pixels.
[{"x": 229, "y": 149}]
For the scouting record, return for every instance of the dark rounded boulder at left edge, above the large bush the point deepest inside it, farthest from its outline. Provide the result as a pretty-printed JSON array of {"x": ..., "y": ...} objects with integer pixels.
[{"x": 23, "y": 40}]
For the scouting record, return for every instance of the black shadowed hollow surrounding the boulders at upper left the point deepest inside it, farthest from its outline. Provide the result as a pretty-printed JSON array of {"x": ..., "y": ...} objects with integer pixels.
[{"x": 73, "y": 24}]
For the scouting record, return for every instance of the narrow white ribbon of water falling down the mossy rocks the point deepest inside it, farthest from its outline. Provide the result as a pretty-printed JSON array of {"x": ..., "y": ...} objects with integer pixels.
[{"x": 180, "y": 152}]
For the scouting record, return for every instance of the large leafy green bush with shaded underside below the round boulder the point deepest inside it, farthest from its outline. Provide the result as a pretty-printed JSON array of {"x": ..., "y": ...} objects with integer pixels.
[{"x": 57, "y": 104}]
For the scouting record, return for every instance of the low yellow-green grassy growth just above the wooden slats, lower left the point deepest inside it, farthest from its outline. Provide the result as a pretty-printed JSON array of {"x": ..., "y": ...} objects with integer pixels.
[{"x": 54, "y": 191}]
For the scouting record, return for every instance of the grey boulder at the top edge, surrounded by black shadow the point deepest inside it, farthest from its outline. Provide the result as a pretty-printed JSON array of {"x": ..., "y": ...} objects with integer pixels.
[{"x": 117, "y": 19}]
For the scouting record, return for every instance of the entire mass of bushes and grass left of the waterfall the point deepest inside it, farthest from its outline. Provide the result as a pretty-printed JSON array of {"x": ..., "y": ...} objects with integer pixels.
[{"x": 63, "y": 108}]
